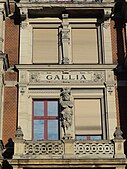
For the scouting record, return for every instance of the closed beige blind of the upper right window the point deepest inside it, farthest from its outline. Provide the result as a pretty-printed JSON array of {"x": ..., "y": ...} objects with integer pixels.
[{"x": 84, "y": 46}]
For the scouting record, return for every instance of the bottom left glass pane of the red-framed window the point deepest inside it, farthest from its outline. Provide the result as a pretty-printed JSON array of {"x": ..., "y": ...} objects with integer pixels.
[{"x": 38, "y": 129}]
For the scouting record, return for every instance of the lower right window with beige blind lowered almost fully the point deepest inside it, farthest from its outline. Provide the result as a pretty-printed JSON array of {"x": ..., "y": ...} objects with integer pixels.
[{"x": 88, "y": 119}]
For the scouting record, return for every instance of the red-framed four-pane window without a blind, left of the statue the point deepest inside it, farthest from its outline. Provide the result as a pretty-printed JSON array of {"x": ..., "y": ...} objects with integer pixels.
[{"x": 45, "y": 120}]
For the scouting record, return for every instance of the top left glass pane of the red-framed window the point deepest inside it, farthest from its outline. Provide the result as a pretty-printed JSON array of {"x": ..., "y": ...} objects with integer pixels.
[{"x": 38, "y": 108}]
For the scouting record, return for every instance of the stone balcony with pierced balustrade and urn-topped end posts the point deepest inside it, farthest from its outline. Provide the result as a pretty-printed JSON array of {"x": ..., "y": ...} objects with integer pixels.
[{"x": 68, "y": 148}]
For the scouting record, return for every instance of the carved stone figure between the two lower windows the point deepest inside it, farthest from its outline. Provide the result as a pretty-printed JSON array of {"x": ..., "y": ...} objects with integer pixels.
[{"x": 66, "y": 113}]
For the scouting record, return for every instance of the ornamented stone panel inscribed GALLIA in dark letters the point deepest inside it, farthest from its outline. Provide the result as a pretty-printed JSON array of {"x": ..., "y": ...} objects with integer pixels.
[{"x": 81, "y": 77}]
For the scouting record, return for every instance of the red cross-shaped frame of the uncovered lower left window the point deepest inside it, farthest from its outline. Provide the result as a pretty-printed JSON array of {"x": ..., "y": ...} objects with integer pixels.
[{"x": 45, "y": 117}]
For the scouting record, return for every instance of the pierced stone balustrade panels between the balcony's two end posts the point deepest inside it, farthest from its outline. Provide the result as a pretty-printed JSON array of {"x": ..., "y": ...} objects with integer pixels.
[{"x": 102, "y": 149}]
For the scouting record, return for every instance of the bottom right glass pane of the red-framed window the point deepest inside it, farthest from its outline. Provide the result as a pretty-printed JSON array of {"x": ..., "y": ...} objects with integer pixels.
[{"x": 52, "y": 129}]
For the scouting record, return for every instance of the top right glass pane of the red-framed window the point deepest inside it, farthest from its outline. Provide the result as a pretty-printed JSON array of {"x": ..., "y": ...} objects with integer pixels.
[{"x": 52, "y": 108}]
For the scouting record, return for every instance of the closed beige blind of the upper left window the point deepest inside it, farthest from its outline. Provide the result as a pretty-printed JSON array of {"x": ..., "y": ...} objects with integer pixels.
[{"x": 45, "y": 45}]
